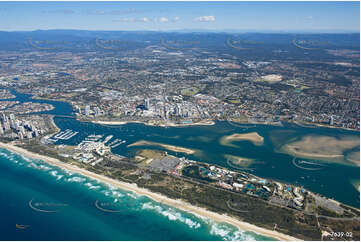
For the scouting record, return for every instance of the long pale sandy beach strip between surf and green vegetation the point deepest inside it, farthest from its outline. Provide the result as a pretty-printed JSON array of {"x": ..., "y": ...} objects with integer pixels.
[{"x": 154, "y": 196}]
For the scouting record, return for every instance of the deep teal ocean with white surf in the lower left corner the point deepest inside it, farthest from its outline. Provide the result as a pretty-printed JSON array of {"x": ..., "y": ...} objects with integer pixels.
[{"x": 42, "y": 202}]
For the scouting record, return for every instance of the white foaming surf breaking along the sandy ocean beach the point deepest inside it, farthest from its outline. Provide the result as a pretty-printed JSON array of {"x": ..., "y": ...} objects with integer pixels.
[{"x": 193, "y": 221}]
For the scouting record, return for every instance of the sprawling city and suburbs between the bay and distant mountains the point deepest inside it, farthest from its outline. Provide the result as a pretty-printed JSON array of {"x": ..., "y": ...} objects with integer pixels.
[{"x": 154, "y": 82}]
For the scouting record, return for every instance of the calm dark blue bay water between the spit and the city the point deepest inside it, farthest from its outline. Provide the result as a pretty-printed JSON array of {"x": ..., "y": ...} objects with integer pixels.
[{"x": 333, "y": 180}]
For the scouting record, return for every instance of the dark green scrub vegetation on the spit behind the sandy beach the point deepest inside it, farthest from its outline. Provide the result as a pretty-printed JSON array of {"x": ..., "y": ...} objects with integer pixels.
[{"x": 258, "y": 211}]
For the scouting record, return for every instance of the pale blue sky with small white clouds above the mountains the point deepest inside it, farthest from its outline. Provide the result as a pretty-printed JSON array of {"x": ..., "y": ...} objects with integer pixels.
[{"x": 168, "y": 16}]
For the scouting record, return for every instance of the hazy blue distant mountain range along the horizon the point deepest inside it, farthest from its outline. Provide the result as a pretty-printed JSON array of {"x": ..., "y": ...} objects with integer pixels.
[{"x": 18, "y": 40}]
